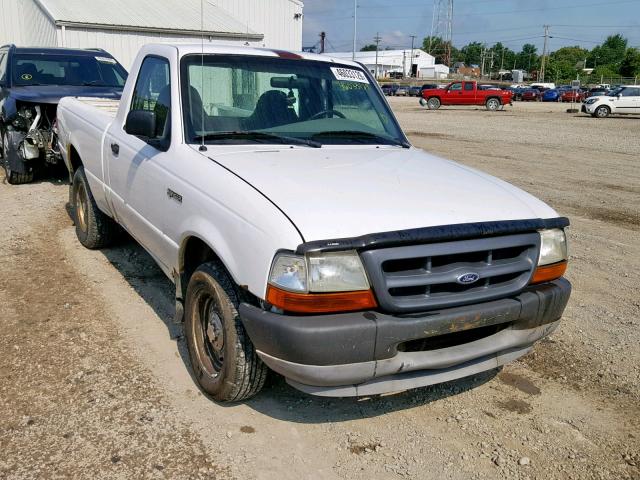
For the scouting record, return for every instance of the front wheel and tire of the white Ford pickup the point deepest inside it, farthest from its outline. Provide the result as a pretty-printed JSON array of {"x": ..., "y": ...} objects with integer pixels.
[{"x": 224, "y": 361}]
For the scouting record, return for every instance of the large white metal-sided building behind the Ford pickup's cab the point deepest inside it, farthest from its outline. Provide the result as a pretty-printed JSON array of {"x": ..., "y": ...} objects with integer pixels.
[{"x": 122, "y": 26}]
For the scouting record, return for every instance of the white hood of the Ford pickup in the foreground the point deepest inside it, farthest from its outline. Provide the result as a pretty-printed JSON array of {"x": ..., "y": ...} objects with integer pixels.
[{"x": 340, "y": 192}]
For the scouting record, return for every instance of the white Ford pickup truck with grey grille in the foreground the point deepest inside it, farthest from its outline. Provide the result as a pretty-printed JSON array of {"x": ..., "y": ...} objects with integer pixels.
[{"x": 302, "y": 230}]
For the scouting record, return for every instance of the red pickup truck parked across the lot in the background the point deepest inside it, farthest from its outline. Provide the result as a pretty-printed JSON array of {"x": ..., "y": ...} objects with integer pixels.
[{"x": 466, "y": 93}]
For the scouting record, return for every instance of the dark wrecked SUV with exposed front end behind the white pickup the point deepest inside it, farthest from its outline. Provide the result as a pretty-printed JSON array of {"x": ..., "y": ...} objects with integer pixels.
[{"x": 32, "y": 82}]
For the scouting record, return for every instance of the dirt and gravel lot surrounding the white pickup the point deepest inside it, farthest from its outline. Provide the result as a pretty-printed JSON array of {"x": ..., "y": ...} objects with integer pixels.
[{"x": 95, "y": 381}]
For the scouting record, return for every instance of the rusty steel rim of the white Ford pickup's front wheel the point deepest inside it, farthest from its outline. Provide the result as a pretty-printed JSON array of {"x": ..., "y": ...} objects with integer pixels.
[{"x": 209, "y": 336}]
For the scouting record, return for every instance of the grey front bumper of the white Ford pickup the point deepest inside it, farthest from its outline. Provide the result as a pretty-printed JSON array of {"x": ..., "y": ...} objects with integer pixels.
[{"x": 368, "y": 353}]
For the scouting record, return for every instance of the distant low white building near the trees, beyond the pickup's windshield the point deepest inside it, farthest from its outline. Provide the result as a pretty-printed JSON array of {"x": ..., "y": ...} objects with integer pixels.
[{"x": 396, "y": 61}]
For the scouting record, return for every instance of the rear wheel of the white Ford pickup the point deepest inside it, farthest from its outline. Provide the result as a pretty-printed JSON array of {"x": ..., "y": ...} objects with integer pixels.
[{"x": 94, "y": 229}]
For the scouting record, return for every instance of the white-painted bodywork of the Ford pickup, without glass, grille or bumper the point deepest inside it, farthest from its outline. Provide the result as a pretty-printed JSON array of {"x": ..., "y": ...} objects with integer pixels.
[{"x": 240, "y": 199}]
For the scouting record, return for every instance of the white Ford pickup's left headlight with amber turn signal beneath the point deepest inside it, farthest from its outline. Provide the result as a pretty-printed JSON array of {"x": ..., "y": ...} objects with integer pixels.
[{"x": 319, "y": 283}]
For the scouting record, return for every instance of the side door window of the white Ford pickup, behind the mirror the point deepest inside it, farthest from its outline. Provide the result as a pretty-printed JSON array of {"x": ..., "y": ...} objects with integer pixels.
[{"x": 153, "y": 93}]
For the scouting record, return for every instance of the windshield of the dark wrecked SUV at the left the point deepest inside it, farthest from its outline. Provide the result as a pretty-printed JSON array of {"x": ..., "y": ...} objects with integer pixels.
[{"x": 65, "y": 69}]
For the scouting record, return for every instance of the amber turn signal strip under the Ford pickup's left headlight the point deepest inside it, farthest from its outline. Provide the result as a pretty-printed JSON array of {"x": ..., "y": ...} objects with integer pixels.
[{"x": 320, "y": 302}]
